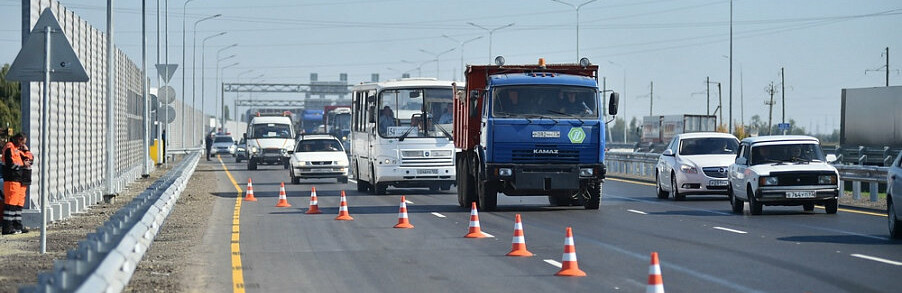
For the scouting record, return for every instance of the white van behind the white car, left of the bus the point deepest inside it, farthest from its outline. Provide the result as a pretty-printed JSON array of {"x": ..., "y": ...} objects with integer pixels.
[{"x": 269, "y": 140}]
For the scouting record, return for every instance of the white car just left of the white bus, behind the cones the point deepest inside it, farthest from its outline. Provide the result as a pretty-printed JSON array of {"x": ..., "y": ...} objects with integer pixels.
[{"x": 318, "y": 156}]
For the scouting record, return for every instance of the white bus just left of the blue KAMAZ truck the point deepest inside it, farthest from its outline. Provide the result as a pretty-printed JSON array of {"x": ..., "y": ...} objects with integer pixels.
[{"x": 401, "y": 134}]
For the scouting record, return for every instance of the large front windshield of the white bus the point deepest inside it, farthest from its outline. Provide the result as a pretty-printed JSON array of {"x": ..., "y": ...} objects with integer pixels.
[{"x": 415, "y": 112}]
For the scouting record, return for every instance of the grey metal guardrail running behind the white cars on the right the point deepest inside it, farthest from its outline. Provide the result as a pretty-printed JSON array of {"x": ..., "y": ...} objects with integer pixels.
[{"x": 641, "y": 166}]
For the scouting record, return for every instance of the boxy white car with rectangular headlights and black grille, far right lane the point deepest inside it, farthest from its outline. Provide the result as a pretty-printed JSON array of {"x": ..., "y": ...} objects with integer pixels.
[{"x": 782, "y": 170}]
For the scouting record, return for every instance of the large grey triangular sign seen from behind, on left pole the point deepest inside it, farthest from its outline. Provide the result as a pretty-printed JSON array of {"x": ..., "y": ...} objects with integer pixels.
[{"x": 64, "y": 64}]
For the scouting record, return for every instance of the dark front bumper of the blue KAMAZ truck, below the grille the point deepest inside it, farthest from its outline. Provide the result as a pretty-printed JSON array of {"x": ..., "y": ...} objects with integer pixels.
[{"x": 527, "y": 178}]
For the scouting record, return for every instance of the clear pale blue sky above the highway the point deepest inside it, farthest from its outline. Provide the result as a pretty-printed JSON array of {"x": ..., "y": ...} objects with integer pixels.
[{"x": 822, "y": 45}]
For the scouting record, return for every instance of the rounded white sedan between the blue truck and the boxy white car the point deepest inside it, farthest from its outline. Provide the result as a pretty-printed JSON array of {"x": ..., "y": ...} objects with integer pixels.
[{"x": 695, "y": 163}]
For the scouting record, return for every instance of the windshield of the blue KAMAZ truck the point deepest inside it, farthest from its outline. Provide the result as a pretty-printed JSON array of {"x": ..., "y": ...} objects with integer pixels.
[{"x": 553, "y": 101}]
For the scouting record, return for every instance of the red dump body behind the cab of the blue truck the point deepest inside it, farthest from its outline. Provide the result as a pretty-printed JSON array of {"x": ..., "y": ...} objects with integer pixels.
[{"x": 466, "y": 123}]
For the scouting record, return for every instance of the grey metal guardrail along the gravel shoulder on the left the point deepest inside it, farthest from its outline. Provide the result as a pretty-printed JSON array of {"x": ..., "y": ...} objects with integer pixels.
[{"x": 106, "y": 260}]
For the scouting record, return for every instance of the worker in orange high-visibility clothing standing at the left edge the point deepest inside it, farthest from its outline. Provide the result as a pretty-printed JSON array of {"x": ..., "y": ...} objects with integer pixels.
[{"x": 17, "y": 162}]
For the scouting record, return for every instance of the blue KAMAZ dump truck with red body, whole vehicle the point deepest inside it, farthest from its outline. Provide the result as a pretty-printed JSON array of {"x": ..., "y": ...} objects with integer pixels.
[{"x": 530, "y": 130}]
